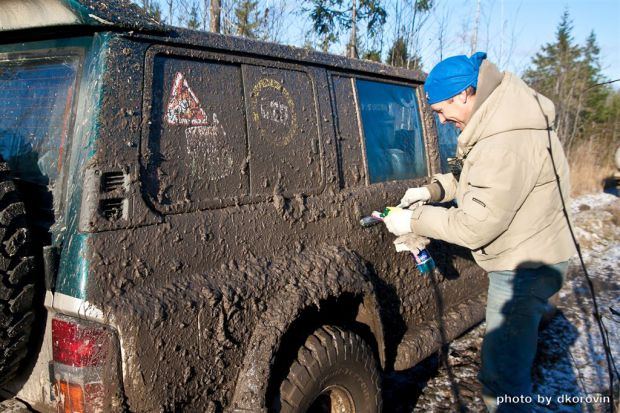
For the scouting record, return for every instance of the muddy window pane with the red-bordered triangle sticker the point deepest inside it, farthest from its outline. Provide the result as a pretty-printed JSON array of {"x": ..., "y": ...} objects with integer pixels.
[{"x": 197, "y": 148}]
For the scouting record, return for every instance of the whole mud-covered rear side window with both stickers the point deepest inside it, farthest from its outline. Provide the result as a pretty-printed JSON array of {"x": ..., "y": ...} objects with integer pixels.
[{"x": 221, "y": 131}]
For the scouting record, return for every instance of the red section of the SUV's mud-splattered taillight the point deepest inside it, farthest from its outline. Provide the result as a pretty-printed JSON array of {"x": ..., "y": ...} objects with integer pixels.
[{"x": 78, "y": 346}]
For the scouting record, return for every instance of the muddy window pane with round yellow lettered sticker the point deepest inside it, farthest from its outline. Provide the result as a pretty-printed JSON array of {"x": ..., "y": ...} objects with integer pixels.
[{"x": 283, "y": 131}]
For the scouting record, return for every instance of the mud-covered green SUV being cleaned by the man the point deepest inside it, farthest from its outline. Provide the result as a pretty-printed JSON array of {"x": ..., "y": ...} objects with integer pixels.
[{"x": 180, "y": 220}]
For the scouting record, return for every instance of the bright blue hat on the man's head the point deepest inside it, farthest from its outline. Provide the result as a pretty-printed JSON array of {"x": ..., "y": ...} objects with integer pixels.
[{"x": 451, "y": 76}]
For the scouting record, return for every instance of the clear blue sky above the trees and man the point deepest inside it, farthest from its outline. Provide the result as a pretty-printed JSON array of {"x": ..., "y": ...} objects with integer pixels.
[{"x": 527, "y": 24}]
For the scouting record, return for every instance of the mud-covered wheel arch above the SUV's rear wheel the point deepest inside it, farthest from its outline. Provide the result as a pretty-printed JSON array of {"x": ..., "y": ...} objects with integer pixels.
[{"x": 349, "y": 303}]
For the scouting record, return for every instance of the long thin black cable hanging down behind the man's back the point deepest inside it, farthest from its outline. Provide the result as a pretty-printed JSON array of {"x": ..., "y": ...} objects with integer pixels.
[{"x": 597, "y": 314}]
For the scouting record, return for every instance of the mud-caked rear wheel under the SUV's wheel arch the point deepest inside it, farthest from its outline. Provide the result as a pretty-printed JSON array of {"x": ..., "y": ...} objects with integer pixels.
[{"x": 335, "y": 370}]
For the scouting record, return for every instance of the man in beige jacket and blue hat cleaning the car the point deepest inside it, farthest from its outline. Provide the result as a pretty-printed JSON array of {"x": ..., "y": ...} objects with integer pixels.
[{"x": 508, "y": 210}]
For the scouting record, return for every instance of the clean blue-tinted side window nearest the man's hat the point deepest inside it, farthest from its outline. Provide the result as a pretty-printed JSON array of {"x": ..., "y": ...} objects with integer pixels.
[{"x": 392, "y": 131}]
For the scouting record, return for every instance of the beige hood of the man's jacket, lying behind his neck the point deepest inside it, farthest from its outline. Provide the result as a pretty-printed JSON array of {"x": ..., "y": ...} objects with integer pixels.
[{"x": 504, "y": 103}]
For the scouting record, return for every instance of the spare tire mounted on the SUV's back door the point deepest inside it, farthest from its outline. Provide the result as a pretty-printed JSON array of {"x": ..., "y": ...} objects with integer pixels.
[{"x": 17, "y": 280}]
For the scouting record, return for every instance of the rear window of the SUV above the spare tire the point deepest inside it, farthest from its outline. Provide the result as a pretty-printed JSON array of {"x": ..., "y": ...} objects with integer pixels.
[{"x": 36, "y": 100}]
